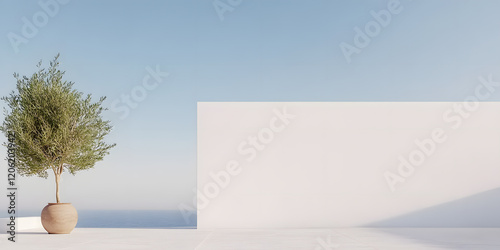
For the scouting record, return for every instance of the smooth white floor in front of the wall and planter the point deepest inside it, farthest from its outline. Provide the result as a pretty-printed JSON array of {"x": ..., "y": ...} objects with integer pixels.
[{"x": 313, "y": 239}]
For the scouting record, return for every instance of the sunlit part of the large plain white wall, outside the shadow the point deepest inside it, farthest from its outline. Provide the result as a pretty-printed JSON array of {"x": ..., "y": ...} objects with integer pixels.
[{"x": 328, "y": 165}]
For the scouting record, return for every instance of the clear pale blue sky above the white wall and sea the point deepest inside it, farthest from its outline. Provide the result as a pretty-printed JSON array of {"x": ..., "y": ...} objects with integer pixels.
[{"x": 262, "y": 51}]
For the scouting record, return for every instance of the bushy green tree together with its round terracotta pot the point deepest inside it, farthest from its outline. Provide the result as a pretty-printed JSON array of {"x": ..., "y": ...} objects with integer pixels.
[{"x": 57, "y": 129}]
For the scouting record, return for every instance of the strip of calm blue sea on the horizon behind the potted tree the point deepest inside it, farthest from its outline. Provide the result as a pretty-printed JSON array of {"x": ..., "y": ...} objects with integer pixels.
[{"x": 127, "y": 218}]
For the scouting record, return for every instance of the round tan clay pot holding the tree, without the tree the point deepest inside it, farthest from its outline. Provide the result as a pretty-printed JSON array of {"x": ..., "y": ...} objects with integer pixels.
[{"x": 59, "y": 218}]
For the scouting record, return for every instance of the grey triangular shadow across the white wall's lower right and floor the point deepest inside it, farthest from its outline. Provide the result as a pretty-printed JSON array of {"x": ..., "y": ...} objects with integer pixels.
[{"x": 469, "y": 223}]
